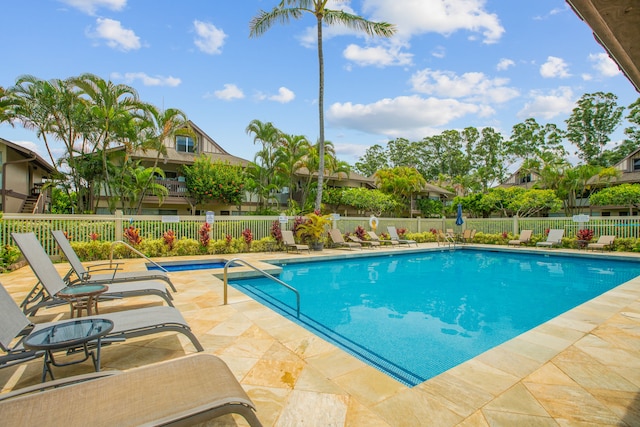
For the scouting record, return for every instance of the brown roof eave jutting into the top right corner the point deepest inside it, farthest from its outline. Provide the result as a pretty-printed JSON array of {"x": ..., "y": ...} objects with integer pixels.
[{"x": 616, "y": 26}]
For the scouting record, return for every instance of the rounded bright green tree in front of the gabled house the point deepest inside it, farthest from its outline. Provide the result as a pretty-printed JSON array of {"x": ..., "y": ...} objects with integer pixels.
[{"x": 209, "y": 181}]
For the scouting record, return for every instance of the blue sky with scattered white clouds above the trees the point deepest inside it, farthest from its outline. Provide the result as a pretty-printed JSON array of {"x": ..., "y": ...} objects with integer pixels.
[{"x": 452, "y": 64}]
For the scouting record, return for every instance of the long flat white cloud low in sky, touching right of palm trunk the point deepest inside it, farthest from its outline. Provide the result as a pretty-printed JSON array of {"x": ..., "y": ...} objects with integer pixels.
[{"x": 404, "y": 116}]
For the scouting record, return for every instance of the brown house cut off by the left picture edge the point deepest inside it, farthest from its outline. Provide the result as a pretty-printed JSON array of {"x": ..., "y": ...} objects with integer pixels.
[{"x": 24, "y": 174}]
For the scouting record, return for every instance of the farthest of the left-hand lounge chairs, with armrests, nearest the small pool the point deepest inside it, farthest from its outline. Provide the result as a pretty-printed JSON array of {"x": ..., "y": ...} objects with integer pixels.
[{"x": 85, "y": 275}]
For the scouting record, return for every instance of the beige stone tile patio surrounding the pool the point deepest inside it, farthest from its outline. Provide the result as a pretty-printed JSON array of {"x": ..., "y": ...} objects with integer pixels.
[{"x": 581, "y": 368}]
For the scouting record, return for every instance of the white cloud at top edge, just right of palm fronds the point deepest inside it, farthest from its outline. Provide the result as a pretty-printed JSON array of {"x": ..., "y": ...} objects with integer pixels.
[{"x": 414, "y": 17}]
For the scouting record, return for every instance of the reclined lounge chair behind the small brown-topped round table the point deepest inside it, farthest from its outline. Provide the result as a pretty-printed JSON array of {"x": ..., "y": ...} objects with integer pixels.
[{"x": 50, "y": 283}]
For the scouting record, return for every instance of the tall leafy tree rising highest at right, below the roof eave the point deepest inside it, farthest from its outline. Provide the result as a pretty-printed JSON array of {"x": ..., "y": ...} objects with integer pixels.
[{"x": 591, "y": 124}]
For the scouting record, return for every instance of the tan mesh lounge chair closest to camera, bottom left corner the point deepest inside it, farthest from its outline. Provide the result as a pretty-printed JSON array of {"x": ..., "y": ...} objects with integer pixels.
[{"x": 185, "y": 391}]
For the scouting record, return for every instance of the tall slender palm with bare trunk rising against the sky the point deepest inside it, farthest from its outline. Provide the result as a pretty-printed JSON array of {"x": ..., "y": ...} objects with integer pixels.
[{"x": 293, "y": 9}]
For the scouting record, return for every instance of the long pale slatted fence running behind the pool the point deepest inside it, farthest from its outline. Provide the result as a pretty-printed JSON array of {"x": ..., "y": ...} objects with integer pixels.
[{"x": 111, "y": 227}]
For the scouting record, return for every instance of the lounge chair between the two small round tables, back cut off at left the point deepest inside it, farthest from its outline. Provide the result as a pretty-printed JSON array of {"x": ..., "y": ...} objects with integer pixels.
[{"x": 15, "y": 327}]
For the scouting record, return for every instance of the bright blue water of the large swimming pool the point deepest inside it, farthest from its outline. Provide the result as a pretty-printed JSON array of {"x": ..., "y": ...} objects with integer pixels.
[{"x": 415, "y": 316}]
